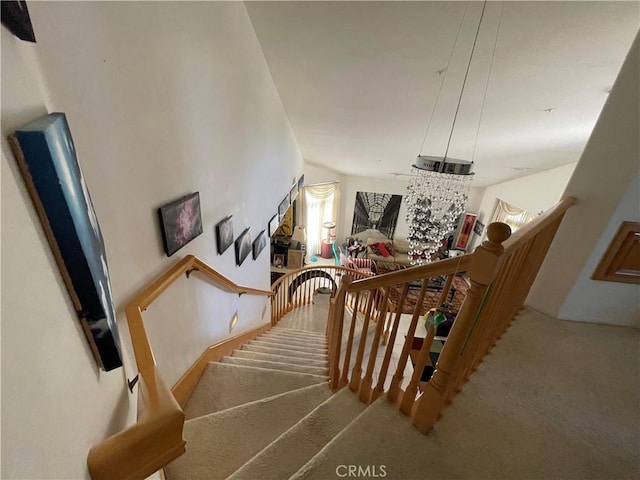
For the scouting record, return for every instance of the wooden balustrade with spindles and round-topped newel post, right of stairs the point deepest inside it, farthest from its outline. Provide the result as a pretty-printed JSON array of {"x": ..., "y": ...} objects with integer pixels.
[{"x": 500, "y": 273}]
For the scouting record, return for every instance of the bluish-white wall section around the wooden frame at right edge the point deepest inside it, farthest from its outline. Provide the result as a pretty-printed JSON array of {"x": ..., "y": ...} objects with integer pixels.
[{"x": 606, "y": 302}]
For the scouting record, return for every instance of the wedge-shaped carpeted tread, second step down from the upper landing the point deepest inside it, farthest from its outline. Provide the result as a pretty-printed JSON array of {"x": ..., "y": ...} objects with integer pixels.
[{"x": 219, "y": 443}]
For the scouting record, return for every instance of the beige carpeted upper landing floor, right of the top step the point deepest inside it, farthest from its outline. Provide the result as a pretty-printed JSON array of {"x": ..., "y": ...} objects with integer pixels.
[{"x": 554, "y": 400}]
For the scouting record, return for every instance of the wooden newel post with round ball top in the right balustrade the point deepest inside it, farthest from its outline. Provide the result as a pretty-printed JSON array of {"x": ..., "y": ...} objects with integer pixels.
[{"x": 484, "y": 266}]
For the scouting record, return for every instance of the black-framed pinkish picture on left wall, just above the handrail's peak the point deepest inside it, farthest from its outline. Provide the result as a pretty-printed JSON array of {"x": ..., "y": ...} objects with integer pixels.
[{"x": 181, "y": 222}]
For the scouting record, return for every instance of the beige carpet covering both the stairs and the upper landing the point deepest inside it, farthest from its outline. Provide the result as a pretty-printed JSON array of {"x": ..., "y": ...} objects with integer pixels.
[{"x": 554, "y": 400}]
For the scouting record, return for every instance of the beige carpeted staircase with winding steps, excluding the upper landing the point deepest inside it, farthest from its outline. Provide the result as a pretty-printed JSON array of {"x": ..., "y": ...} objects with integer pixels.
[{"x": 264, "y": 412}]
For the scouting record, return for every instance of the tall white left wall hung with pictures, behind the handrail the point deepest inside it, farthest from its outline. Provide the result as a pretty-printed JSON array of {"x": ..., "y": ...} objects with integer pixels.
[{"x": 162, "y": 99}]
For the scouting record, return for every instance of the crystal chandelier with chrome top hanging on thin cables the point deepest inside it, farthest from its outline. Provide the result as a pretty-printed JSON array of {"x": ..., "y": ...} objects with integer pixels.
[{"x": 439, "y": 186}]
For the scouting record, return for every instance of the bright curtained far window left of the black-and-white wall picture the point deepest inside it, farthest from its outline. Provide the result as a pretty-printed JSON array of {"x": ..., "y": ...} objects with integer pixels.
[{"x": 319, "y": 205}]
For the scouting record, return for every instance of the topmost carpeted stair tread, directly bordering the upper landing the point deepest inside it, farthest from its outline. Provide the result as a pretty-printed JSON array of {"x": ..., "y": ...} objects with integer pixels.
[{"x": 295, "y": 447}]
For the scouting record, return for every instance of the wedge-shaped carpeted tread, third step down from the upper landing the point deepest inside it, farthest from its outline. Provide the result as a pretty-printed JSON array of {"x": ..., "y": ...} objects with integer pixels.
[{"x": 224, "y": 386}]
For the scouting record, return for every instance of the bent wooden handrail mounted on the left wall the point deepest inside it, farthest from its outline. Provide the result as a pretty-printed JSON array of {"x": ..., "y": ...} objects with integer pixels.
[{"x": 156, "y": 438}]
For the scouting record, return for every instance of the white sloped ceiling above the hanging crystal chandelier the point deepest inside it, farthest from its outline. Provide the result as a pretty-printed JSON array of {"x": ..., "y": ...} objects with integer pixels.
[{"x": 359, "y": 80}]
